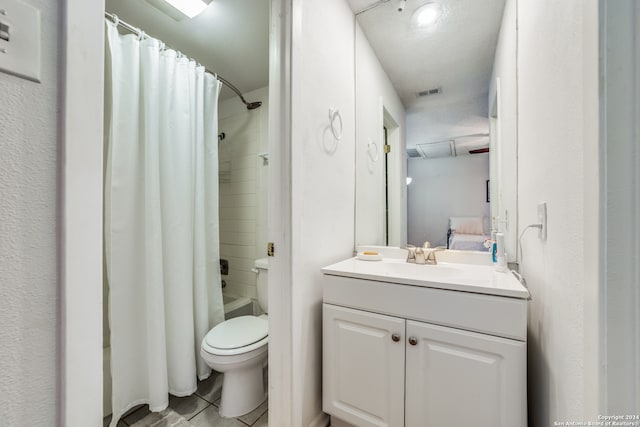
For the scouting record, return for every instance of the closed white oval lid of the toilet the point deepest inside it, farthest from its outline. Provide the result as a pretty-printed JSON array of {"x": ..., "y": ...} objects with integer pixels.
[{"x": 237, "y": 332}]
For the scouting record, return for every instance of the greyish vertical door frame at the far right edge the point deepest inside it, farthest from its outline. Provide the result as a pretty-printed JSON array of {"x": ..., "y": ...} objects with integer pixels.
[{"x": 619, "y": 24}]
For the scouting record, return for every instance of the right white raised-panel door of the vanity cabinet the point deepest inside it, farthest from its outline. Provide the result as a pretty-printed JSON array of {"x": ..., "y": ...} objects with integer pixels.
[{"x": 460, "y": 378}]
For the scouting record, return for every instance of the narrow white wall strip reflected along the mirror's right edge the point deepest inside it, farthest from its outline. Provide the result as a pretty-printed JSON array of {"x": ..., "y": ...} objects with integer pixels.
[{"x": 504, "y": 172}]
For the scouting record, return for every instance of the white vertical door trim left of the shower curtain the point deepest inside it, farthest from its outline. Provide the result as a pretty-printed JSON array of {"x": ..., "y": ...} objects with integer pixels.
[{"x": 80, "y": 136}]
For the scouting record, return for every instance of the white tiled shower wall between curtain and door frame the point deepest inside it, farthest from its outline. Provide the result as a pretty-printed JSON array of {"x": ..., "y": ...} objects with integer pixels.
[{"x": 243, "y": 189}]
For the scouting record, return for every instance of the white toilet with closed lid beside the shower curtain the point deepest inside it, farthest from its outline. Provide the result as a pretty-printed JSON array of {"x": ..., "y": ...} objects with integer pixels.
[{"x": 238, "y": 348}]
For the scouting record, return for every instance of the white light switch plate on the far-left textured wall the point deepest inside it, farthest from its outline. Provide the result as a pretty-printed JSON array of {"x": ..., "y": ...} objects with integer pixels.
[{"x": 20, "y": 54}]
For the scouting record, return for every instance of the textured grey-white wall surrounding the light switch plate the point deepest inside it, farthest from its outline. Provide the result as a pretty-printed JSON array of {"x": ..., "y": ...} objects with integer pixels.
[{"x": 28, "y": 290}]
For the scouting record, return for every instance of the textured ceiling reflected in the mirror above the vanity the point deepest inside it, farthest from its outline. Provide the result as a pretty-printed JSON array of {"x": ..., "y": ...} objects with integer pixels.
[{"x": 456, "y": 54}]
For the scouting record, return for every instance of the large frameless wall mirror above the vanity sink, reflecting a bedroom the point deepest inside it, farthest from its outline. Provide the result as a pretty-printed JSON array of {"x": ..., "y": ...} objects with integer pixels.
[{"x": 436, "y": 132}]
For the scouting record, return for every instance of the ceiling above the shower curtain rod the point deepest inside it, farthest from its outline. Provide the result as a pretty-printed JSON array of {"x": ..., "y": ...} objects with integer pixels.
[{"x": 231, "y": 37}]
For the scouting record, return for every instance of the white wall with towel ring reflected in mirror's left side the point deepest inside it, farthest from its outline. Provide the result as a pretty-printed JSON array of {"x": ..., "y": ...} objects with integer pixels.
[{"x": 374, "y": 92}]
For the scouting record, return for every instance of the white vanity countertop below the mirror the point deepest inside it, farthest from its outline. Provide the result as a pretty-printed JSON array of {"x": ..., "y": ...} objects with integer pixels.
[{"x": 478, "y": 279}]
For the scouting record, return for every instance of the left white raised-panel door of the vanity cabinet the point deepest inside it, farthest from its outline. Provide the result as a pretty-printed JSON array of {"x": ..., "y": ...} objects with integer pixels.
[{"x": 363, "y": 367}]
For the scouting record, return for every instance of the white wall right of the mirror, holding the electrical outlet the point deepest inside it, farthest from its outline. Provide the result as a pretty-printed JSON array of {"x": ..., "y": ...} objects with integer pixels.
[{"x": 557, "y": 84}]
